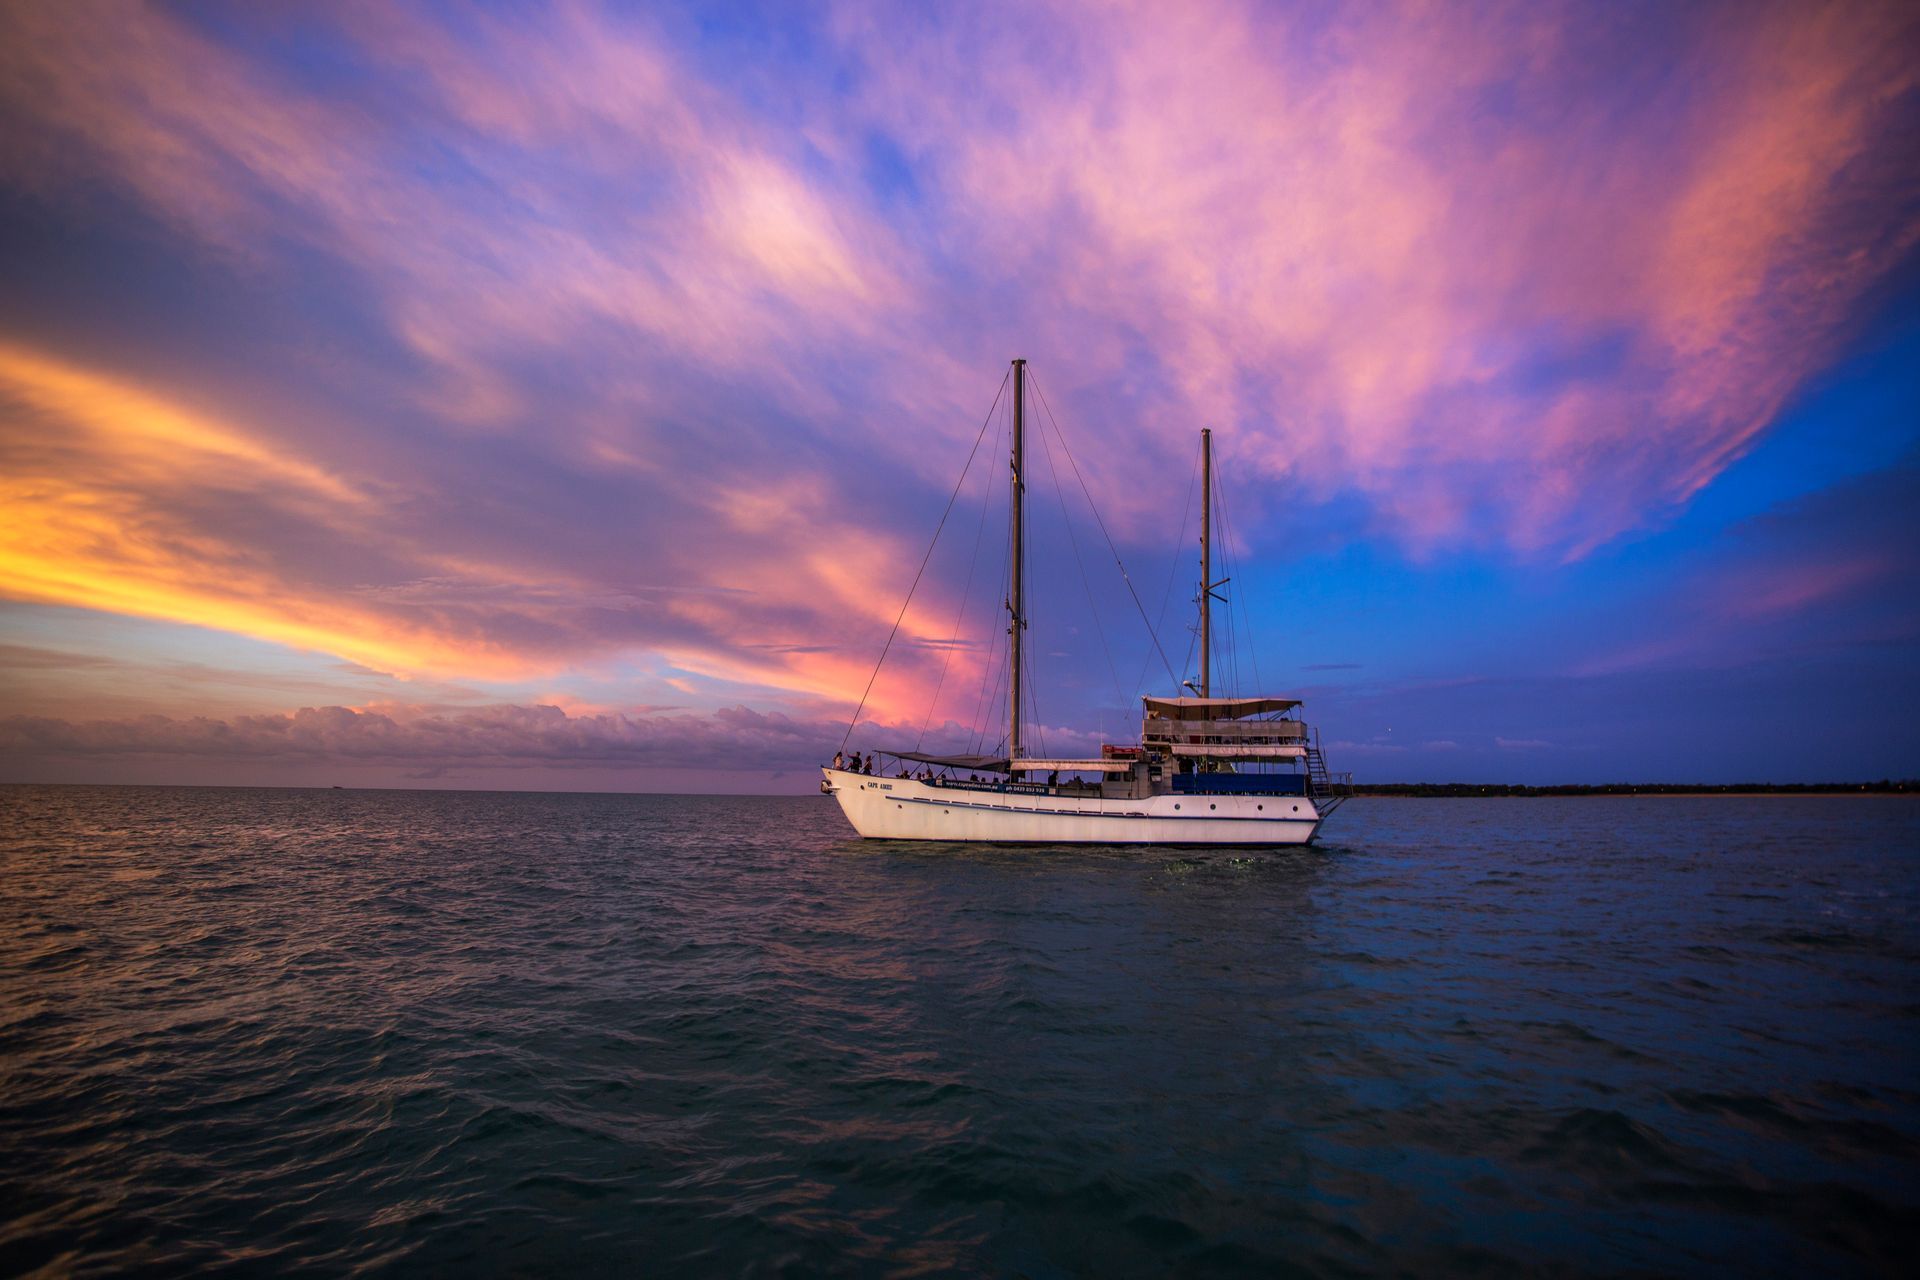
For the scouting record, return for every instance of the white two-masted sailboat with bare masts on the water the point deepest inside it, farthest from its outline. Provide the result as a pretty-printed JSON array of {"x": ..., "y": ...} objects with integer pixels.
[{"x": 1207, "y": 770}]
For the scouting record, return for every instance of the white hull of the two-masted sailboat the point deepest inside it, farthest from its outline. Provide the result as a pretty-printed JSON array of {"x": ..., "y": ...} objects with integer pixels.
[{"x": 901, "y": 809}]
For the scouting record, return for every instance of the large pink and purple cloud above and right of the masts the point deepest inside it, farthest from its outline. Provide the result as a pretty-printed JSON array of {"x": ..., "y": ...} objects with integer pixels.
[{"x": 1485, "y": 266}]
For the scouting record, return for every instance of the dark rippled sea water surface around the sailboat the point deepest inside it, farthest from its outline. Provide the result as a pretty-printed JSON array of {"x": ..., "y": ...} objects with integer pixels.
[{"x": 460, "y": 1033}]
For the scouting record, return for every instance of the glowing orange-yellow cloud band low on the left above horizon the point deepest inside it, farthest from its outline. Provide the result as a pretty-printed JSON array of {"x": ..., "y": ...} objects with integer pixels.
[{"x": 105, "y": 485}]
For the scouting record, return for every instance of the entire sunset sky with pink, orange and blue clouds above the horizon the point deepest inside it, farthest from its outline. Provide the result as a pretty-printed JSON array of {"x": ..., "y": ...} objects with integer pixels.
[{"x": 564, "y": 396}]
